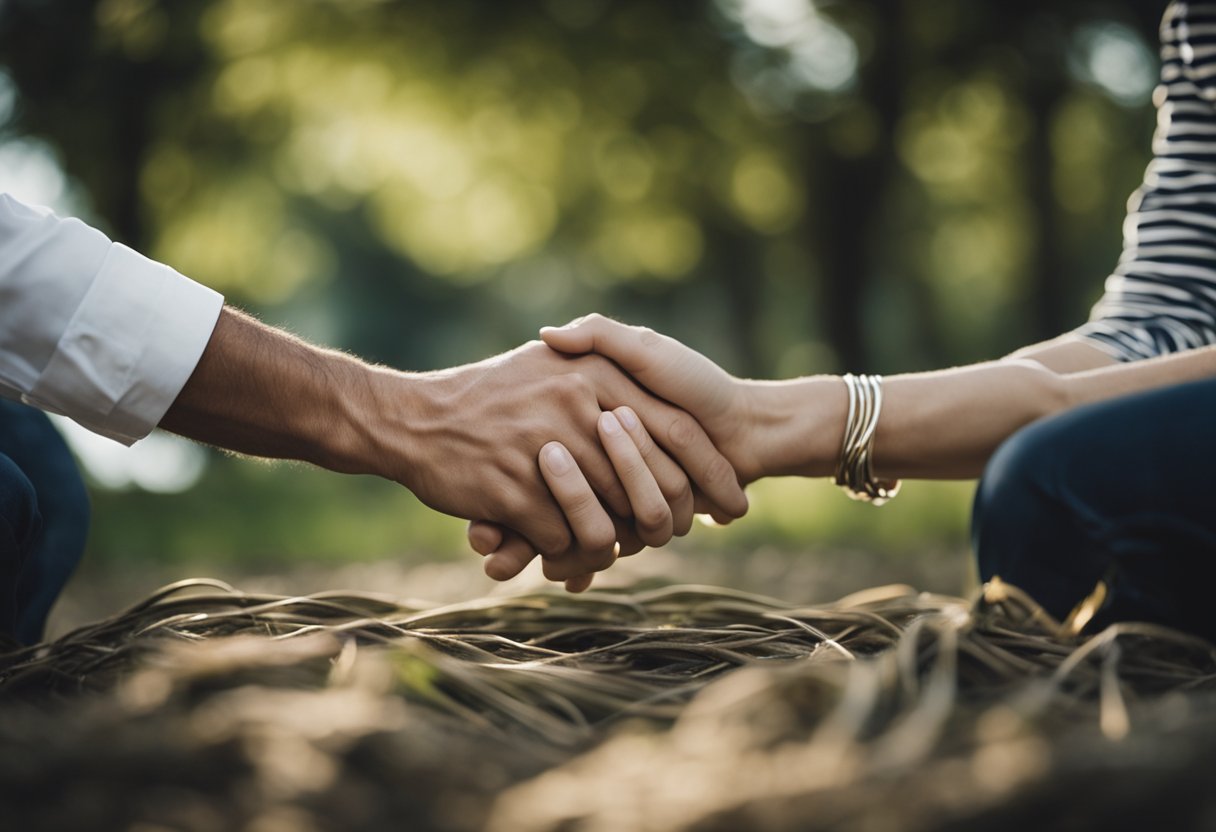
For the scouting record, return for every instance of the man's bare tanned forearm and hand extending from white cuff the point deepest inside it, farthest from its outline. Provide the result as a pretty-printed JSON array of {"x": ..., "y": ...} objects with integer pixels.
[{"x": 519, "y": 440}]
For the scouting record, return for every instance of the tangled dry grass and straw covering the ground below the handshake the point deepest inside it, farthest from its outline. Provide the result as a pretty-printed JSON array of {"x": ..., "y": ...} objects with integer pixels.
[{"x": 679, "y": 709}]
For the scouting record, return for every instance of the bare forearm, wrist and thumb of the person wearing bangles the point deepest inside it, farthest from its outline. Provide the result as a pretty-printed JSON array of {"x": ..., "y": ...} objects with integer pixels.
[{"x": 941, "y": 425}]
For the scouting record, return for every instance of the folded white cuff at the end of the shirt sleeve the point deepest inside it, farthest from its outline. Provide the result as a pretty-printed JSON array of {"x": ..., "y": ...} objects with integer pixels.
[{"x": 130, "y": 348}]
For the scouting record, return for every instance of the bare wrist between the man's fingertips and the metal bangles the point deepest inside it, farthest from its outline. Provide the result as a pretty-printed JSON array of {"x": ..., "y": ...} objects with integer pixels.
[{"x": 797, "y": 425}]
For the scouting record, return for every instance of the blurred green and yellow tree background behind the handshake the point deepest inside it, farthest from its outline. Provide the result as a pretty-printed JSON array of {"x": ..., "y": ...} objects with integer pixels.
[{"x": 791, "y": 187}]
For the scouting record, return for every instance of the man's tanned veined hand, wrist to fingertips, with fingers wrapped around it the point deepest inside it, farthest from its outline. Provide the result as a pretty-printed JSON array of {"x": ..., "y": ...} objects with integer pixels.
[{"x": 466, "y": 441}]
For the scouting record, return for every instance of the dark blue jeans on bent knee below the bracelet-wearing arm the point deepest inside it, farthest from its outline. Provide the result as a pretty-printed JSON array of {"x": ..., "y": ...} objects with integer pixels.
[{"x": 1123, "y": 492}]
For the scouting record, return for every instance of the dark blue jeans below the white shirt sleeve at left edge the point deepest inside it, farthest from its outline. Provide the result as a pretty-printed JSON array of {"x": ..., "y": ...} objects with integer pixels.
[{"x": 44, "y": 520}]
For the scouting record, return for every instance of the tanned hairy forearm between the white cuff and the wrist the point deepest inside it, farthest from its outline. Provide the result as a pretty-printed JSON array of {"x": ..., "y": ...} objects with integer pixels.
[{"x": 262, "y": 392}]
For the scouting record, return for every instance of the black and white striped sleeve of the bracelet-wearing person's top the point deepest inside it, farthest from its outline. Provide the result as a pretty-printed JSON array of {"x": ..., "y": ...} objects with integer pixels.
[{"x": 1162, "y": 297}]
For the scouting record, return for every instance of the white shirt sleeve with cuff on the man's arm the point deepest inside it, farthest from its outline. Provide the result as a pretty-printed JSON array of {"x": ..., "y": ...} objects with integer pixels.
[{"x": 93, "y": 330}]
